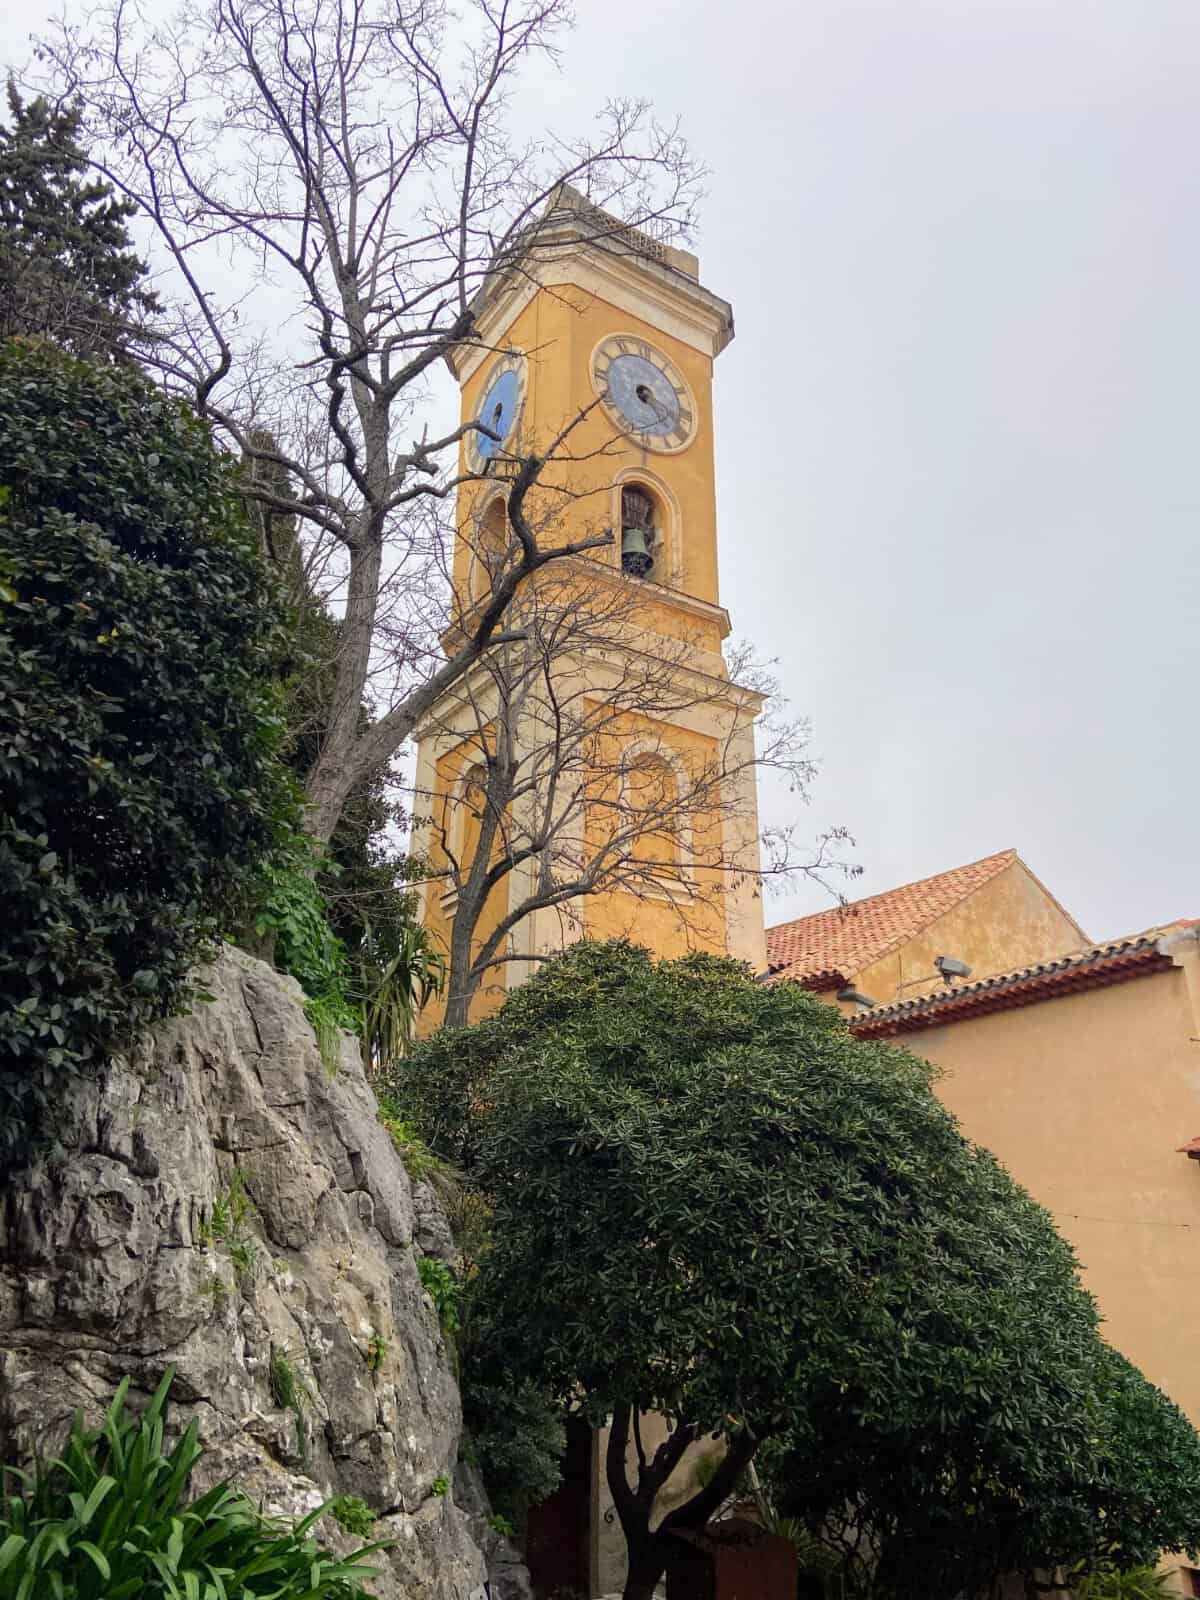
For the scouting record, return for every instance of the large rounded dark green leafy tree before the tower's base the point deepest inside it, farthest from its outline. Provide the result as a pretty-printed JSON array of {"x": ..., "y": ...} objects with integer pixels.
[{"x": 714, "y": 1204}]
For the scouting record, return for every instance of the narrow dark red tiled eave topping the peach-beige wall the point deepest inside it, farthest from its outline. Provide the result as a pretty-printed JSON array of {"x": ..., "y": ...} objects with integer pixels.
[{"x": 1094, "y": 969}]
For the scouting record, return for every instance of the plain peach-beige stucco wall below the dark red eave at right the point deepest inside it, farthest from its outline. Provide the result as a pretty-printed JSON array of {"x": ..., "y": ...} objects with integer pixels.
[{"x": 1086, "y": 1102}]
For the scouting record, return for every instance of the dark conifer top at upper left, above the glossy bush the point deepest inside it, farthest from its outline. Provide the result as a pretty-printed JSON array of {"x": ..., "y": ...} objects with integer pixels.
[{"x": 66, "y": 265}]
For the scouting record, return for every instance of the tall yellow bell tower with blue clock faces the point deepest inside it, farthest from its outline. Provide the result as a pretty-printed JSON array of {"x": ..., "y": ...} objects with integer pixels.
[{"x": 598, "y": 351}]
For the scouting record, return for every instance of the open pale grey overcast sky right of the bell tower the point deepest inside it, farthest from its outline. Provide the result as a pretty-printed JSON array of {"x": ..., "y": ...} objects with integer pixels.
[{"x": 959, "y": 489}]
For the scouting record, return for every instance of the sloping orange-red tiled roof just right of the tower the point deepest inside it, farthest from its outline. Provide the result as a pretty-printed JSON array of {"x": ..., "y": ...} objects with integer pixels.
[{"x": 831, "y": 948}]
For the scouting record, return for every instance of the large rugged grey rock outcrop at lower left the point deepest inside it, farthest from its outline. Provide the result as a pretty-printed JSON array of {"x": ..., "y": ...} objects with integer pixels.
[{"x": 223, "y": 1206}]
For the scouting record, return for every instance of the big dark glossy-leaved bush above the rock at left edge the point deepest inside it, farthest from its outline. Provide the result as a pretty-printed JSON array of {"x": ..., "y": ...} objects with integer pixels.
[{"x": 138, "y": 782}]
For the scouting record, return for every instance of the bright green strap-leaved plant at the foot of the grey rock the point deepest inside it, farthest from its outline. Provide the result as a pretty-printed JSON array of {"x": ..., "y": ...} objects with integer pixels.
[{"x": 111, "y": 1521}]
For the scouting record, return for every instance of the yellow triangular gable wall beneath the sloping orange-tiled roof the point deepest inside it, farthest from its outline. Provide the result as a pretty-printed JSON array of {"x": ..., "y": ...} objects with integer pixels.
[{"x": 1009, "y": 922}]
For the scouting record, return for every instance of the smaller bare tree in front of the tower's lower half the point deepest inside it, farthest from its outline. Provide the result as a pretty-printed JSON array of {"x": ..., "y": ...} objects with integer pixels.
[{"x": 590, "y": 758}]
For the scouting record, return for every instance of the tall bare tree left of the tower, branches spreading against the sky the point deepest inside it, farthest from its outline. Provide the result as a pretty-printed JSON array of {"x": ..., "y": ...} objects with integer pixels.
[{"x": 345, "y": 172}]
